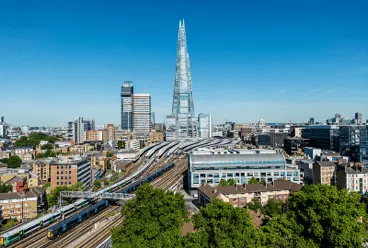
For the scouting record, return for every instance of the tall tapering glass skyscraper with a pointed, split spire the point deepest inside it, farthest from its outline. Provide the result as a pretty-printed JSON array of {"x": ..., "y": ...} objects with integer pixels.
[{"x": 183, "y": 106}]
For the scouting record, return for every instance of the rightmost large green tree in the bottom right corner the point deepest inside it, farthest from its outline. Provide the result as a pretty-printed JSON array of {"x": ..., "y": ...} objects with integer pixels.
[{"x": 328, "y": 216}]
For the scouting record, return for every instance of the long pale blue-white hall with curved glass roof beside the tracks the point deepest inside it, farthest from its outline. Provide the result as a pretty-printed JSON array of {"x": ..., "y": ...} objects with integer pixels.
[{"x": 210, "y": 166}]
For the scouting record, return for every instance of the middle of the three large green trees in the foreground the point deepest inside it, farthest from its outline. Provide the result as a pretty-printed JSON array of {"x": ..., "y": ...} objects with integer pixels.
[{"x": 222, "y": 225}]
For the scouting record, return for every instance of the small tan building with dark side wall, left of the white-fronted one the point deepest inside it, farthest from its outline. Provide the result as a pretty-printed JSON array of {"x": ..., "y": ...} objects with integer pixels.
[{"x": 324, "y": 172}]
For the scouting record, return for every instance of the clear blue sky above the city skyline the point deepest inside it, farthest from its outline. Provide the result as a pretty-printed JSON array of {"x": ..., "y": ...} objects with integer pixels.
[{"x": 279, "y": 60}]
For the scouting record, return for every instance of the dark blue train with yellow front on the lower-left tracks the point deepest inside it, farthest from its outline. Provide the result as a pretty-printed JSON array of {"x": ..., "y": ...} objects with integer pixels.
[{"x": 67, "y": 224}]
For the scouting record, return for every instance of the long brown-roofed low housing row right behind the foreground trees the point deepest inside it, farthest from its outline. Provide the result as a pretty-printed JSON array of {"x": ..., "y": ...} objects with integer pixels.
[{"x": 241, "y": 195}]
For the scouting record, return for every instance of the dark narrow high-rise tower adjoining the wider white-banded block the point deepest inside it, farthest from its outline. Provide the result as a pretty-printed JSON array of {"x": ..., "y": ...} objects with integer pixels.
[{"x": 127, "y": 106}]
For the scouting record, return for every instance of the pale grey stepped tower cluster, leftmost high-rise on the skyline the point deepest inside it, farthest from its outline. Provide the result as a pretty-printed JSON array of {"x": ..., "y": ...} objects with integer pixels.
[{"x": 77, "y": 130}]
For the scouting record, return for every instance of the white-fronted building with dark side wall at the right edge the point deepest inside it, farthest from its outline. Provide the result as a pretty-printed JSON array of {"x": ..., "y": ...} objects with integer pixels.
[{"x": 353, "y": 178}]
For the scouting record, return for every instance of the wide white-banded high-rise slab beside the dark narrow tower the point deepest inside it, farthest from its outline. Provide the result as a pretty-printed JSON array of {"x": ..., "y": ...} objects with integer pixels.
[{"x": 142, "y": 113}]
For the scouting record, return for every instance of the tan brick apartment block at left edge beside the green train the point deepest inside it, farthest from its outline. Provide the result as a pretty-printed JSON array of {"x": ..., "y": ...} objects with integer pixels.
[{"x": 26, "y": 205}]
